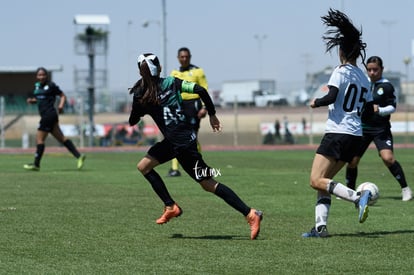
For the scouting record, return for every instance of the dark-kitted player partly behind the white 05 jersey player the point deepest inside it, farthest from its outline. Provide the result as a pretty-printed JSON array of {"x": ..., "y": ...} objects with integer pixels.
[{"x": 376, "y": 127}]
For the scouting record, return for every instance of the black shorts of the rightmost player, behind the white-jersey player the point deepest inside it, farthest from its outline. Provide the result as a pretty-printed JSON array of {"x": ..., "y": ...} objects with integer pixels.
[{"x": 383, "y": 140}]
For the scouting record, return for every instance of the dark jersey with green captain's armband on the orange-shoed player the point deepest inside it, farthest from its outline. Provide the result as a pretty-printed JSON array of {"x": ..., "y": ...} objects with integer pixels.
[{"x": 168, "y": 114}]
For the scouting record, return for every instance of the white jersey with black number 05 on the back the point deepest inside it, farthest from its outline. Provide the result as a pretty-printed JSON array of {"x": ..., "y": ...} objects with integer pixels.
[{"x": 354, "y": 91}]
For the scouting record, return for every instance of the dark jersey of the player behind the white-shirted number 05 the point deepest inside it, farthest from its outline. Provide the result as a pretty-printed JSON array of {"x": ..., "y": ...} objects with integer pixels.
[{"x": 383, "y": 94}]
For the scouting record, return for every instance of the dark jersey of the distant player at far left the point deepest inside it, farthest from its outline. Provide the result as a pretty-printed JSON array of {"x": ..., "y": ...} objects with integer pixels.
[{"x": 45, "y": 95}]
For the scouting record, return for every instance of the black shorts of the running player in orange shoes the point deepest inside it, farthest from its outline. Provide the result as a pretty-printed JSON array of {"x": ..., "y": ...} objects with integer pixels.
[{"x": 188, "y": 157}]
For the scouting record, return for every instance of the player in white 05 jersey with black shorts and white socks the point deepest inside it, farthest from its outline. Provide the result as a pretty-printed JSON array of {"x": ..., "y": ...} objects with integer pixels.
[{"x": 348, "y": 93}]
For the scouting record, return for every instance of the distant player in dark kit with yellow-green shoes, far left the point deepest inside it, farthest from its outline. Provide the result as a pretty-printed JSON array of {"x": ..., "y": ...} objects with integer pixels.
[{"x": 44, "y": 95}]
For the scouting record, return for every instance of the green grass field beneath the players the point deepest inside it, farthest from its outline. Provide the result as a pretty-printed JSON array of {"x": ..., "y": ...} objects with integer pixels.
[{"x": 101, "y": 220}]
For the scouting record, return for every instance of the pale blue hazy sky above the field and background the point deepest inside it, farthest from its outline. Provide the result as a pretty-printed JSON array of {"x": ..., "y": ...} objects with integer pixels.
[{"x": 220, "y": 33}]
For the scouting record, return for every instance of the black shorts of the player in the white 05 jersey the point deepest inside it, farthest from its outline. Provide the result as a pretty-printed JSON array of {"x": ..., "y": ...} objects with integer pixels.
[{"x": 341, "y": 147}]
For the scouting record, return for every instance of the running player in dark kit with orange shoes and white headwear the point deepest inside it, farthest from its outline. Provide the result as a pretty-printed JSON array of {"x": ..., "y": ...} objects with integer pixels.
[{"x": 161, "y": 99}]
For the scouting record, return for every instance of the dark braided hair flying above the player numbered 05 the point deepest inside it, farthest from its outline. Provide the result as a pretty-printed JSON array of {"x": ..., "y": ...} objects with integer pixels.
[{"x": 344, "y": 34}]
